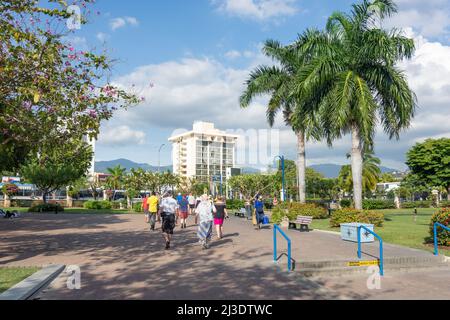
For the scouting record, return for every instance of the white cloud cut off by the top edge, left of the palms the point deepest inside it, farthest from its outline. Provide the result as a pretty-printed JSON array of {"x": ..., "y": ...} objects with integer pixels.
[{"x": 258, "y": 9}]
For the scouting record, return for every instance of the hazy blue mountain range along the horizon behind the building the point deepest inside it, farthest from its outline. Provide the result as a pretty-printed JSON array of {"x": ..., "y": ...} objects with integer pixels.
[{"x": 328, "y": 170}]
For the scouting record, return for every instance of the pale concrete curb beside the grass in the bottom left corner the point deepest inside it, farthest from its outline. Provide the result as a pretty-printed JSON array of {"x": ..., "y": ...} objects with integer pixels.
[{"x": 33, "y": 284}]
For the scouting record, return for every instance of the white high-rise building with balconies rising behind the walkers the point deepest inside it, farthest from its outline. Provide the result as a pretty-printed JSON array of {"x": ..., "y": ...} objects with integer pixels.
[{"x": 204, "y": 153}]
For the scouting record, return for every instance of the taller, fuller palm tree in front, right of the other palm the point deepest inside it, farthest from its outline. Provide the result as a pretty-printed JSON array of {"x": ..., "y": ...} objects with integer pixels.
[{"x": 353, "y": 73}]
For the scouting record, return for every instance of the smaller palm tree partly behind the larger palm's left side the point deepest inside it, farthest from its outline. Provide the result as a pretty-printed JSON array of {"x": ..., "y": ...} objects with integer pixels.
[{"x": 280, "y": 81}]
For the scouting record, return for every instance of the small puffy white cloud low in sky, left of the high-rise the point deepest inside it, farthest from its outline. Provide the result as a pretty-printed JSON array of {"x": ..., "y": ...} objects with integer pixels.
[{"x": 121, "y": 136}]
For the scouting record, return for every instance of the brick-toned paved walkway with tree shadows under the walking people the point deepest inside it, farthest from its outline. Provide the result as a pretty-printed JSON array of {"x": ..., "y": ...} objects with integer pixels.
[{"x": 121, "y": 259}]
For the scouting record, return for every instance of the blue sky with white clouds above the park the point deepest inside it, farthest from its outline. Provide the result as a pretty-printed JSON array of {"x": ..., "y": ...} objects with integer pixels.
[{"x": 191, "y": 58}]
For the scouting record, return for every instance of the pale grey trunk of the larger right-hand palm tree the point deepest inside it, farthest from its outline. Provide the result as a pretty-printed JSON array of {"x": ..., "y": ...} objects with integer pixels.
[{"x": 357, "y": 163}]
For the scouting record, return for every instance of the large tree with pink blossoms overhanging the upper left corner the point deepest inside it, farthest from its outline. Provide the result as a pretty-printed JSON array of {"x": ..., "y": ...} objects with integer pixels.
[{"x": 49, "y": 90}]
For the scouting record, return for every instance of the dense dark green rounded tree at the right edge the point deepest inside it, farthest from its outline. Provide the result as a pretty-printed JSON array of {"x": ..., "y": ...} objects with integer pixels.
[{"x": 430, "y": 162}]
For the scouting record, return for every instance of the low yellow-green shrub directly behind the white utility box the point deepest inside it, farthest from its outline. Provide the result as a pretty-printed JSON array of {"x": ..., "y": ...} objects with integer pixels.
[{"x": 351, "y": 215}]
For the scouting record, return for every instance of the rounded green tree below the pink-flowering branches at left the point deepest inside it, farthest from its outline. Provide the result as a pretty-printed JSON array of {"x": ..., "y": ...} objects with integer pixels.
[{"x": 58, "y": 166}]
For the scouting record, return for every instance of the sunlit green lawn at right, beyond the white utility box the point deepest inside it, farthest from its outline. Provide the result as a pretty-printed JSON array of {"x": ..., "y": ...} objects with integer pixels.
[{"x": 399, "y": 228}]
